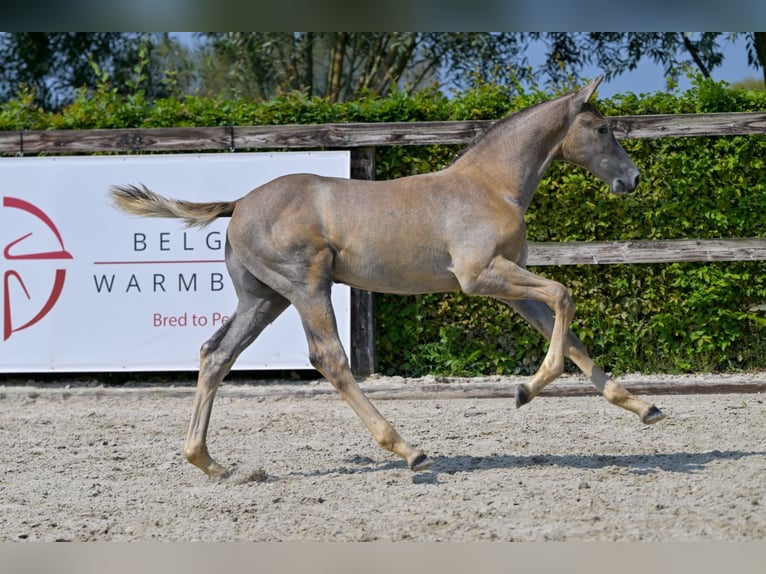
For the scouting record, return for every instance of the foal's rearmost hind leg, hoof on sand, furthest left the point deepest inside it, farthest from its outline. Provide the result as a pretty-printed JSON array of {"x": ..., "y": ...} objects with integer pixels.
[{"x": 258, "y": 306}]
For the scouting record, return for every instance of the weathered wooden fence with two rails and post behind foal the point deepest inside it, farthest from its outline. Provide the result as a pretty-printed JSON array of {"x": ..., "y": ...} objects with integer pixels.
[{"x": 362, "y": 138}]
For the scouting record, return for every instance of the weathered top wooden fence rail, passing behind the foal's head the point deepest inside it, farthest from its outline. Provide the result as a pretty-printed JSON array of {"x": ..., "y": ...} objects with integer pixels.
[{"x": 350, "y": 135}]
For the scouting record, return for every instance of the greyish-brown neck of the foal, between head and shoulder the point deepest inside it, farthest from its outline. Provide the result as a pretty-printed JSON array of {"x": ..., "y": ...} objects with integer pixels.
[{"x": 511, "y": 158}]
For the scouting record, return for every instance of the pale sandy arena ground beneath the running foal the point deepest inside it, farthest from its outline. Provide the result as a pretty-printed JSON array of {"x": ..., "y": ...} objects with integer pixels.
[{"x": 95, "y": 462}]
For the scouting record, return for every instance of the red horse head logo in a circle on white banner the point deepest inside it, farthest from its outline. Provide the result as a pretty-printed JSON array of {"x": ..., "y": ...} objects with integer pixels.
[{"x": 58, "y": 283}]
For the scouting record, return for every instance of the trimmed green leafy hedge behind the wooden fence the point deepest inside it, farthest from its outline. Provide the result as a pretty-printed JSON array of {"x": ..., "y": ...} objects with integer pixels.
[{"x": 648, "y": 318}]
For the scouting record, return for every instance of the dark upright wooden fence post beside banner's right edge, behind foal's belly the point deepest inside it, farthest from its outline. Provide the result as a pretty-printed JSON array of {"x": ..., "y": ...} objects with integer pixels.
[{"x": 362, "y": 302}]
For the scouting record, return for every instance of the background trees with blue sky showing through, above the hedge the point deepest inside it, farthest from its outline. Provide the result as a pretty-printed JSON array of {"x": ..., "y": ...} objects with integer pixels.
[{"x": 341, "y": 66}]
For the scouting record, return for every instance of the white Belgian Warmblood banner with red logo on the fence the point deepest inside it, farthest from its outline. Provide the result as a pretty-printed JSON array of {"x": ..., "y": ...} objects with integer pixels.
[{"x": 87, "y": 288}]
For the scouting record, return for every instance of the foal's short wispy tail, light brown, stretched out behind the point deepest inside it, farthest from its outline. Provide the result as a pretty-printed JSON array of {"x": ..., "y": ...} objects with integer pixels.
[{"x": 146, "y": 203}]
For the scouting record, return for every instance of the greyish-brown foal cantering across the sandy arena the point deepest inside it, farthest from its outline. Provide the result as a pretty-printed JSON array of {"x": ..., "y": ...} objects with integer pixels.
[{"x": 461, "y": 228}]
